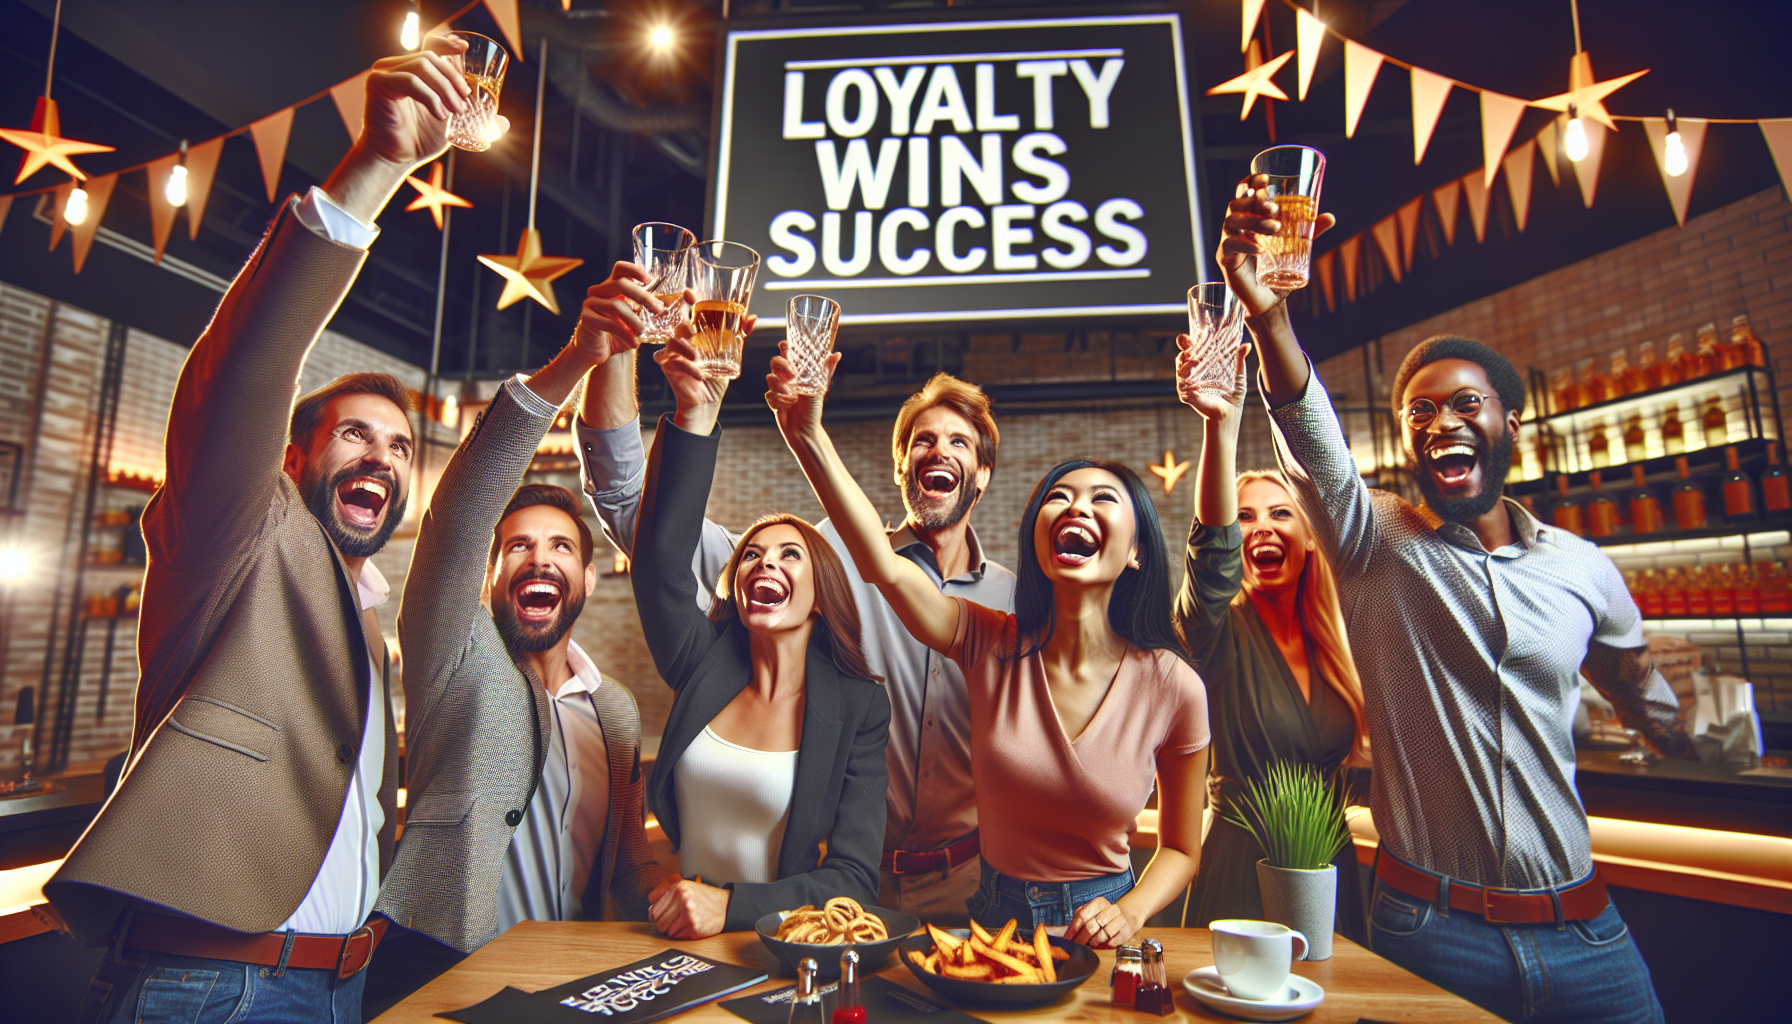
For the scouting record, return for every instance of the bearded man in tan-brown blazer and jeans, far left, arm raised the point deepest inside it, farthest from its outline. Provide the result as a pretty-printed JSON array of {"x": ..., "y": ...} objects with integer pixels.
[{"x": 234, "y": 871}]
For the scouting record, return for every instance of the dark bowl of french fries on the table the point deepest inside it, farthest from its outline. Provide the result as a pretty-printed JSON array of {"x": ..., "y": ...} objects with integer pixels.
[{"x": 978, "y": 966}]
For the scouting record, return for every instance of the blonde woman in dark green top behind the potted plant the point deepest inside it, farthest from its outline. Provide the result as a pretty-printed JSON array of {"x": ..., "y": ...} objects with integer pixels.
[{"x": 1261, "y": 618}]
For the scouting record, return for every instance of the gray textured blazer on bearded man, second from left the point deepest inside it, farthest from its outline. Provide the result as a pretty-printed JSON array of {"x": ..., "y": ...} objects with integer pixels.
[{"x": 478, "y": 722}]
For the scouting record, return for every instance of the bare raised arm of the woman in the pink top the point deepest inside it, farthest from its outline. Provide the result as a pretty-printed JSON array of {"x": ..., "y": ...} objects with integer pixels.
[{"x": 931, "y": 616}]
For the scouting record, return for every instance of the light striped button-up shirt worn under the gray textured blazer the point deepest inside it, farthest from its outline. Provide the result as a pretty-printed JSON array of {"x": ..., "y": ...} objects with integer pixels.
[{"x": 558, "y": 842}]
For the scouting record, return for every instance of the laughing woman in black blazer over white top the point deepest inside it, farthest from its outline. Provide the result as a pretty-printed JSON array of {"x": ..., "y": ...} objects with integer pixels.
[{"x": 775, "y": 668}]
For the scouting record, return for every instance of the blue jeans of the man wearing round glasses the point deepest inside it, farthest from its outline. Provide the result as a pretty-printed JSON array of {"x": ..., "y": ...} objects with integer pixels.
[{"x": 1583, "y": 973}]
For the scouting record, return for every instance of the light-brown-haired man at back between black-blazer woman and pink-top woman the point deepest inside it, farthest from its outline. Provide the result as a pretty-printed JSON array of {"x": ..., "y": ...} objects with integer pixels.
[{"x": 945, "y": 449}]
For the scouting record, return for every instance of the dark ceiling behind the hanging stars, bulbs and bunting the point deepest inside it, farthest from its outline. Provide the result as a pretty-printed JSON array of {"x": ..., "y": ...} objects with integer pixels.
[{"x": 626, "y": 141}]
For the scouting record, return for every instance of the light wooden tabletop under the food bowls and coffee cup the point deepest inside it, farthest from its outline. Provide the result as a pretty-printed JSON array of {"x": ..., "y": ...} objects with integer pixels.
[{"x": 540, "y": 955}]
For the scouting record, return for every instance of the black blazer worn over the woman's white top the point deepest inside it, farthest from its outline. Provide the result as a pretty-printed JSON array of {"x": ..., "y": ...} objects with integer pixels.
[{"x": 834, "y": 837}]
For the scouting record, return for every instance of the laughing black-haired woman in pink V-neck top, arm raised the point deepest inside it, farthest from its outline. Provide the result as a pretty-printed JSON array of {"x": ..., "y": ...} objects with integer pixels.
[{"x": 1080, "y": 700}]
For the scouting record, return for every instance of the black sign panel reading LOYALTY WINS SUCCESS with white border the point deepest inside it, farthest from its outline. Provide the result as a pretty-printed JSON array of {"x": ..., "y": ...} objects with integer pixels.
[{"x": 963, "y": 171}]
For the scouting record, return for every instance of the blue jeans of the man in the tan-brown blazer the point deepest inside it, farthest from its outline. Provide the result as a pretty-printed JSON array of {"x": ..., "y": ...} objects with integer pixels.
[{"x": 141, "y": 987}]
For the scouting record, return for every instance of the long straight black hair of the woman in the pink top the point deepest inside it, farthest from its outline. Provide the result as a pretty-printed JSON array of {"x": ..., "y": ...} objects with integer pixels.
[{"x": 1141, "y": 603}]
